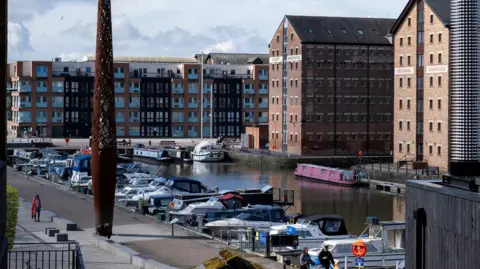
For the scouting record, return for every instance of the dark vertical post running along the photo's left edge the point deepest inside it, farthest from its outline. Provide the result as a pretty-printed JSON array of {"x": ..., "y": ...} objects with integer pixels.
[{"x": 3, "y": 132}]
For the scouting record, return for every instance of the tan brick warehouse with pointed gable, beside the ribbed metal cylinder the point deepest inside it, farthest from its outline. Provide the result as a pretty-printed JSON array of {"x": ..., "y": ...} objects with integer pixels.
[{"x": 421, "y": 41}]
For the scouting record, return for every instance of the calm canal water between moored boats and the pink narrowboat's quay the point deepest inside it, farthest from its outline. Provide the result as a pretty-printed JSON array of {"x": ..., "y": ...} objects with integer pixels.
[{"x": 354, "y": 204}]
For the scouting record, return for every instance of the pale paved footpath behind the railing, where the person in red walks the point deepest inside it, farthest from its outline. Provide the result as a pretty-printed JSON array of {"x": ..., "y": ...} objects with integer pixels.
[{"x": 29, "y": 231}]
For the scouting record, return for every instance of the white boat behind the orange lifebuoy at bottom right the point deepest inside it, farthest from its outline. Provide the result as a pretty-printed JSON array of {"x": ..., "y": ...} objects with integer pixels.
[{"x": 385, "y": 243}]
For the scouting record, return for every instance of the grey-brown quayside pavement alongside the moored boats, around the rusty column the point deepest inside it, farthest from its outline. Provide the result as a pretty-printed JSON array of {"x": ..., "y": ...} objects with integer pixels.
[{"x": 137, "y": 232}]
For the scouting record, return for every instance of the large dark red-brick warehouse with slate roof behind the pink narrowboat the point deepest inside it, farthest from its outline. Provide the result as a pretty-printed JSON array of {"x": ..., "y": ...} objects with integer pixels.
[{"x": 331, "y": 86}]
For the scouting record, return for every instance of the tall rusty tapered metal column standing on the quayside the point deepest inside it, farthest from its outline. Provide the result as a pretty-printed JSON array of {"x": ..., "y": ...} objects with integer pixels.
[{"x": 104, "y": 142}]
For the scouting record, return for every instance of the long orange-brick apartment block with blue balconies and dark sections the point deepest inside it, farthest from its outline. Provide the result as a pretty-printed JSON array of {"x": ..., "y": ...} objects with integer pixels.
[{"x": 154, "y": 97}]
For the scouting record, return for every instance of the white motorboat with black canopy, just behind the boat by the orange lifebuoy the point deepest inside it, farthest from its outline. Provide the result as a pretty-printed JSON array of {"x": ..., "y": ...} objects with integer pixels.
[{"x": 314, "y": 230}]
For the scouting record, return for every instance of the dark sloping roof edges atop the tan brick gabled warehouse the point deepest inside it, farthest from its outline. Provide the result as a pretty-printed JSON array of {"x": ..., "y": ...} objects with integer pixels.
[{"x": 441, "y": 8}]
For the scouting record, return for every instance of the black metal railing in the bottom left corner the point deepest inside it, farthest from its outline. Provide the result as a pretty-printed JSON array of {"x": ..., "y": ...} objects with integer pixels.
[{"x": 45, "y": 255}]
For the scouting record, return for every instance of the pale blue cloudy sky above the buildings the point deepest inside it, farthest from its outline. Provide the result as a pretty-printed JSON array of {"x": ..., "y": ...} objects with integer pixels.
[{"x": 43, "y": 30}]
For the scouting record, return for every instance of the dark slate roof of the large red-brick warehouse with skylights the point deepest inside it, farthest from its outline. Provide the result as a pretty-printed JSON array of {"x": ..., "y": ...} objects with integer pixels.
[{"x": 341, "y": 30}]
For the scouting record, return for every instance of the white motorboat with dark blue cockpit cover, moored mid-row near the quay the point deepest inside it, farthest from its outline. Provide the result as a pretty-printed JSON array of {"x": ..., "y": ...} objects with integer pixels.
[{"x": 261, "y": 218}]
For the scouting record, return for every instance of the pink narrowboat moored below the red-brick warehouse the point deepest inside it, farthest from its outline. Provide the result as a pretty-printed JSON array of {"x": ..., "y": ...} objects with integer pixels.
[{"x": 327, "y": 174}]
